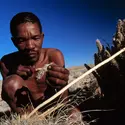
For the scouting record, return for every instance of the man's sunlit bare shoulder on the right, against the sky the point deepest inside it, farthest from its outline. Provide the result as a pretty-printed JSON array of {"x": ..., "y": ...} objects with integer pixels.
[{"x": 55, "y": 55}]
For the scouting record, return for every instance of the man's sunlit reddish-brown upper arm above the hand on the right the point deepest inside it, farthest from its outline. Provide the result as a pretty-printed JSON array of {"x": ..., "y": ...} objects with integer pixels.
[{"x": 57, "y": 57}]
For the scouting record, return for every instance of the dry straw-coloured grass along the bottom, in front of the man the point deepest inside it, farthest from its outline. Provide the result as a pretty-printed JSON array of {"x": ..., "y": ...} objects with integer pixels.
[{"x": 57, "y": 115}]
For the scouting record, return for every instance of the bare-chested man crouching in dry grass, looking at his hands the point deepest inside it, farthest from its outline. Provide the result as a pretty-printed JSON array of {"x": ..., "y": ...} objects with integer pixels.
[{"x": 20, "y": 86}]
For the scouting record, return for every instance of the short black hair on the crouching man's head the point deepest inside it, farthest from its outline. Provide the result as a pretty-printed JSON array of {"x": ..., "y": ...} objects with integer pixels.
[{"x": 23, "y": 17}]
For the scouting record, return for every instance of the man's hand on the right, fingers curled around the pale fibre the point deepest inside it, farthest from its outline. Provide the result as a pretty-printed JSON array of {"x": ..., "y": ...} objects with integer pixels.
[{"x": 57, "y": 76}]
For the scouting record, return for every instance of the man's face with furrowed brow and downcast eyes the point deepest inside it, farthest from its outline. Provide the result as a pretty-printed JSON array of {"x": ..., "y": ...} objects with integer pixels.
[{"x": 29, "y": 40}]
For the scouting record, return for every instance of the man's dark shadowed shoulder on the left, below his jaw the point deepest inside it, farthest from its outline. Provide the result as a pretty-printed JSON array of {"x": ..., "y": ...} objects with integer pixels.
[{"x": 10, "y": 57}]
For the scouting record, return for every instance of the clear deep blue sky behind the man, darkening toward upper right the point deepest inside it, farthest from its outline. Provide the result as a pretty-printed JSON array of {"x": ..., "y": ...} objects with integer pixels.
[{"x": 69, "y": 25}]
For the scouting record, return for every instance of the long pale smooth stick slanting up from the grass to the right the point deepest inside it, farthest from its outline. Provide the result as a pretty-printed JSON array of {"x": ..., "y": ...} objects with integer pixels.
[{"x": 73, "y": 82}]
